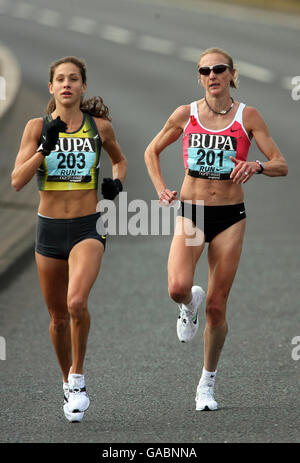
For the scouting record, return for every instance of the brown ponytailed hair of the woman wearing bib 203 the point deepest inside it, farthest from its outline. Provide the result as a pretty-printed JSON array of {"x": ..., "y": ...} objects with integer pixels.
[{"x": 93, "y": 106}]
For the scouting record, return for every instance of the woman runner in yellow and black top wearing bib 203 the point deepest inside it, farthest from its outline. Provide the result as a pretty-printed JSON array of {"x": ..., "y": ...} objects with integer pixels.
[{"x": 63, "y": 148}]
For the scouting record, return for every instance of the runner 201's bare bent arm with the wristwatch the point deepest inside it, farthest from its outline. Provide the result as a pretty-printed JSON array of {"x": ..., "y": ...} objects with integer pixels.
[{"x": 255, "y": 125}]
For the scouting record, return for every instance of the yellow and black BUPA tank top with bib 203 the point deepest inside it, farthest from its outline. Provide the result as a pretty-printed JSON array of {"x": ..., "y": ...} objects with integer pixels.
[{"x": 75, "y": 162}]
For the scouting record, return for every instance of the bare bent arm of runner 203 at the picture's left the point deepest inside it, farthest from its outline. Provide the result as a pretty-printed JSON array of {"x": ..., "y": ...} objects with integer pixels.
[{"x": 28, "y": 160}]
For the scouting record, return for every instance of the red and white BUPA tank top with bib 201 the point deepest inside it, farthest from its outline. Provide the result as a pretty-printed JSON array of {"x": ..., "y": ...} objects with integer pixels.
[{"x": 206, "y": 152}]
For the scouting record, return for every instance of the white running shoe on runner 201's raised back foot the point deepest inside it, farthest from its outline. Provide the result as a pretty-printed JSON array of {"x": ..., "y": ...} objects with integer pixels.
[{"x": 187, "y": 323}]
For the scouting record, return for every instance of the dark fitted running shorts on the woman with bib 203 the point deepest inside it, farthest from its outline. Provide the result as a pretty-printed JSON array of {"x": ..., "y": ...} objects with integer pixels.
[{"x": 56, "y": 237}]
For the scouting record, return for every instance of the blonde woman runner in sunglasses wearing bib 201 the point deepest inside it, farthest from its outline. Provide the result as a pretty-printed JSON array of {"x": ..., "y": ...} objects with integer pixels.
[{"x": 217, "y": 132}]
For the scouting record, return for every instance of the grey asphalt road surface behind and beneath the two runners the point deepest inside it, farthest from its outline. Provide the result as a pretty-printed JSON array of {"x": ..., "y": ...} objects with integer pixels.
[{"x": 140, "y": 379}]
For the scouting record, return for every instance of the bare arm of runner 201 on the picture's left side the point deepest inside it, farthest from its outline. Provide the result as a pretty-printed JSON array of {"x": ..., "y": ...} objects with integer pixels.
[{"x": 171, "y": 131}]
